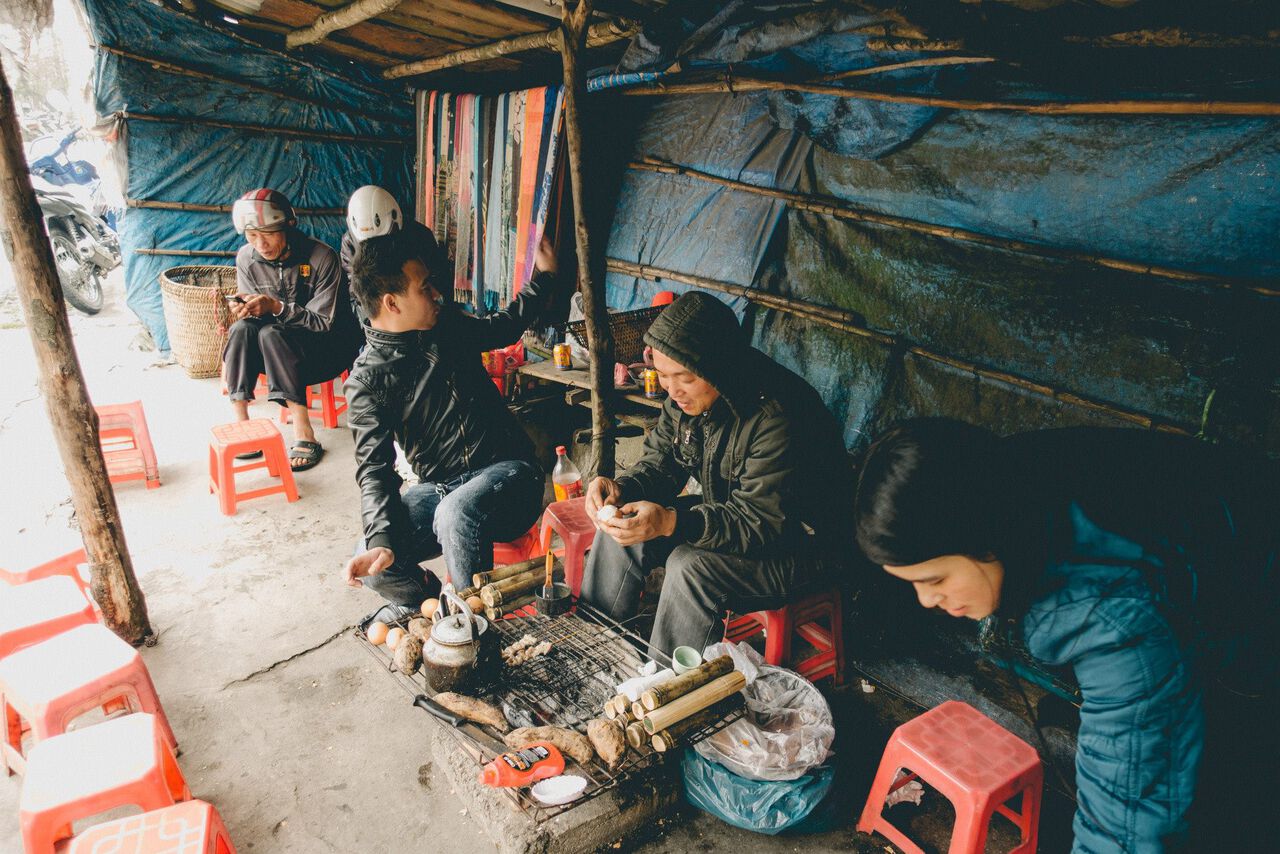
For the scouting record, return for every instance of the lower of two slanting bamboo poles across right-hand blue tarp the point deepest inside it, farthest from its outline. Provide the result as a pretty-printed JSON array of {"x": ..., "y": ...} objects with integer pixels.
[{"x": 820, "y": 314}]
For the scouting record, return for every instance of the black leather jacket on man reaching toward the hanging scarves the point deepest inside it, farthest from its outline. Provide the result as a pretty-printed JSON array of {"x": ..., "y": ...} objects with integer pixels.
[{"x": 431, "y": 392}]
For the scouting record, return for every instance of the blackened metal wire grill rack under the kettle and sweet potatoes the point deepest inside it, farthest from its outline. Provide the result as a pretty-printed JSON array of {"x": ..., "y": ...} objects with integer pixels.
[{"x": 568, "y": 687}]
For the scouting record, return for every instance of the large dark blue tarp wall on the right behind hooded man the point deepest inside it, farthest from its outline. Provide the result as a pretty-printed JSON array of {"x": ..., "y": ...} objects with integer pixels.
[{"x": 1191, "y": 193}]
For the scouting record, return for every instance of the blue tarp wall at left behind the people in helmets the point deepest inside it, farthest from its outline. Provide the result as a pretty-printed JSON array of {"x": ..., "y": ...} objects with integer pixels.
[{"x": 186, "y": 162}]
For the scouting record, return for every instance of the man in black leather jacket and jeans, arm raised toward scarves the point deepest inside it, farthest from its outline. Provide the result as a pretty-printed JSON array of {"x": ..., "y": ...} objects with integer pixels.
[{"x": 422, "y": 383}]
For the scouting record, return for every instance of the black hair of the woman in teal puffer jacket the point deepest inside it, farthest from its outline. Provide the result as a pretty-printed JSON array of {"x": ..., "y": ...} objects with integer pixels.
[{"x": 927, "y": 488}]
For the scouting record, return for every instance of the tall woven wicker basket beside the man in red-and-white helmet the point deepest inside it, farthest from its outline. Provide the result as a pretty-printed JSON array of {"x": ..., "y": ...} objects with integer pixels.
[{"x": 195, "y": 310}]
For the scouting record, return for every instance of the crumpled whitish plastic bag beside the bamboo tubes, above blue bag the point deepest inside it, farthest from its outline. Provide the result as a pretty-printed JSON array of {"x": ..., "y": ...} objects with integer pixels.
[{"x": 788, "y": 729}]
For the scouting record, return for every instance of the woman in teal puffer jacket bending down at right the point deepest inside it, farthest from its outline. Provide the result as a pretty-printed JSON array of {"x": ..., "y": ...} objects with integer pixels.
[{"x": 1144, "y": 563}]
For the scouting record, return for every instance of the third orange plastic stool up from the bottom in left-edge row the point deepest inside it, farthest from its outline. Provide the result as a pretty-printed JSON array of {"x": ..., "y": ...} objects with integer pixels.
[{"x": 48, "y": 686}]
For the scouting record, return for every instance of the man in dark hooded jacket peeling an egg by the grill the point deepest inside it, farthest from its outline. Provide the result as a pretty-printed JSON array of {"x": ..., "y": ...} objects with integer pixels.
[{"x": 775, "y": 485}]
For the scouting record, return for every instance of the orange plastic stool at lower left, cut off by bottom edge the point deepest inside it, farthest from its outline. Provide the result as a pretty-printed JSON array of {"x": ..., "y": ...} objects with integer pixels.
[{"x": 190, "y": 828}]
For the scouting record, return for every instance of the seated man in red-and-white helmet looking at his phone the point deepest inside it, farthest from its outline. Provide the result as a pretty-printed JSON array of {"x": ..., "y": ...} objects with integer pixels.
[{"x": 292, "y": 317}]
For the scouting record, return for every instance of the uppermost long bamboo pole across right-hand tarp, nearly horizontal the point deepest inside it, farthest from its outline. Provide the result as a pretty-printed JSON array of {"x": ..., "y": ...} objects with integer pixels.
[{"x": 738, "y": 85}]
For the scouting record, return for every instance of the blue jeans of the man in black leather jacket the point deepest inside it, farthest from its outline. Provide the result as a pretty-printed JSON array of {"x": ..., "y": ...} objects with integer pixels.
[{"x": 463, "y": 520}]
